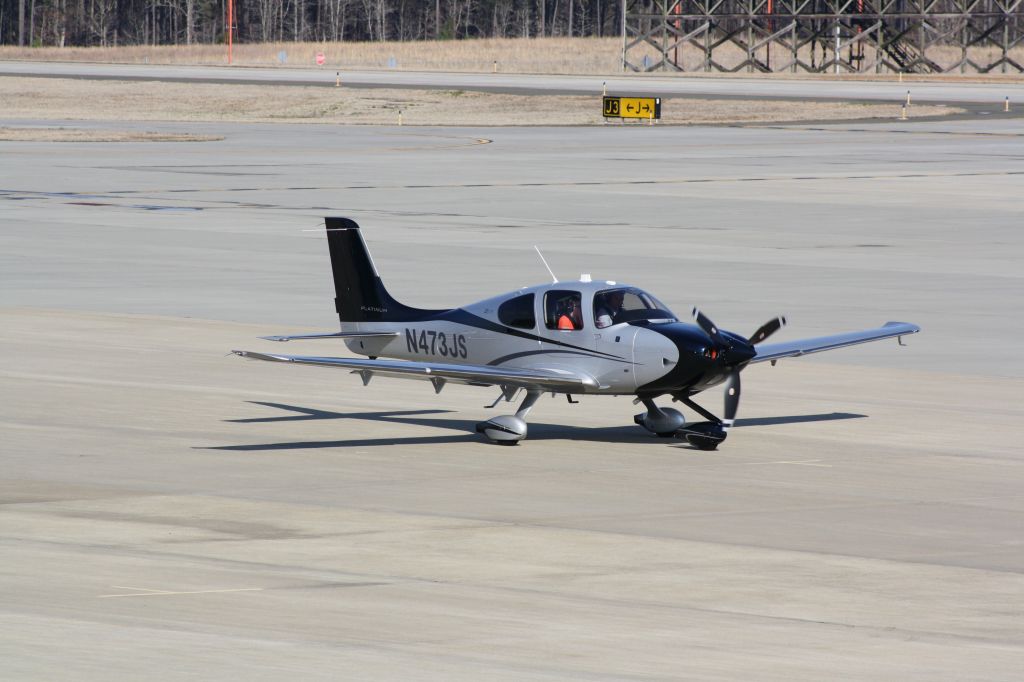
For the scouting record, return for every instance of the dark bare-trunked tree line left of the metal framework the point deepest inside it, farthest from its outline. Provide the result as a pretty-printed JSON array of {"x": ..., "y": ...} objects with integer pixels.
[{"x": 113, "y": 23}]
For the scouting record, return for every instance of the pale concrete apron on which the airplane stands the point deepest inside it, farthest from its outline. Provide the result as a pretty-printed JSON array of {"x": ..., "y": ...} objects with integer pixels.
[{"x": 175, "y": 514}]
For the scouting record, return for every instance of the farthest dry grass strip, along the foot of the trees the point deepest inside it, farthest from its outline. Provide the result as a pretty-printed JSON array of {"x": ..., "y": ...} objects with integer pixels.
[{"x": 528, "y": 56}]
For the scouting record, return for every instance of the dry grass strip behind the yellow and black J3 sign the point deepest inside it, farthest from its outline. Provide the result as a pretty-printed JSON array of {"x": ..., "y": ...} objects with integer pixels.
[{"x": 116, "y": 101}]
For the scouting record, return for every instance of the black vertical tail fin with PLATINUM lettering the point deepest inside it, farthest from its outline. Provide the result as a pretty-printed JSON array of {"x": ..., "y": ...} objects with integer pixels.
[{"x": 360, "y": 294}]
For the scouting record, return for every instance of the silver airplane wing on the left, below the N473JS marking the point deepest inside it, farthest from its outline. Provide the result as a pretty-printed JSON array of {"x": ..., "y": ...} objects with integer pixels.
[{"x": 477, "y": 375}]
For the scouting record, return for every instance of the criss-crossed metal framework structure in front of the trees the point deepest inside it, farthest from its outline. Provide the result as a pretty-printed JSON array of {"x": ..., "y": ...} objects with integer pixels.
[{"x": 825, "y": 36}]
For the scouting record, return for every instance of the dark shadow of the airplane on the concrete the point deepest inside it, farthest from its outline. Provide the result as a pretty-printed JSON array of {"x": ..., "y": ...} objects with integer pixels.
[{"x": 466, "y": 429}]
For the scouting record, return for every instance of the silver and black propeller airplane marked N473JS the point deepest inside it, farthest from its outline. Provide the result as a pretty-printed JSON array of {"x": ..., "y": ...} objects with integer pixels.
[{"x": 582, "y": 337}]
